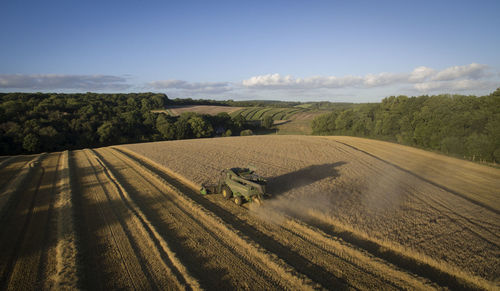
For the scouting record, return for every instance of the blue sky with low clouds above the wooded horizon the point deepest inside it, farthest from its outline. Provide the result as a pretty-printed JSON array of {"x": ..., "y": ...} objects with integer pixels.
[{"x": 351, "y": 51}]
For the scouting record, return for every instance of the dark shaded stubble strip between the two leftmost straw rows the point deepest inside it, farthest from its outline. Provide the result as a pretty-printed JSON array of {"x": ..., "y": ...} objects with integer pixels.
[{"x": 24, "y": 269}]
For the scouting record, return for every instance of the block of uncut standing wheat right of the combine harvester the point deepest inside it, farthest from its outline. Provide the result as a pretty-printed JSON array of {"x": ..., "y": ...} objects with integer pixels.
[{"x": 375, "y": 198}]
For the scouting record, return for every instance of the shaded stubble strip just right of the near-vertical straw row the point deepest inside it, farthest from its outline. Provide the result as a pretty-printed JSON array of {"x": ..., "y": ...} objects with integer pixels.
[{"x": 112, "y": 262}]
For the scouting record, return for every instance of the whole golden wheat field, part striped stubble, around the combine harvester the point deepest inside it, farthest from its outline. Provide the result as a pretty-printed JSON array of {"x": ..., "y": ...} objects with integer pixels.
[{"x": 345, "y": 213}]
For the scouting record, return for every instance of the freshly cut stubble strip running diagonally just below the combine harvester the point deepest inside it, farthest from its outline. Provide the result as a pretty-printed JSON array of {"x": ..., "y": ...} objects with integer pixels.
[{"x": 321, "y": 258}]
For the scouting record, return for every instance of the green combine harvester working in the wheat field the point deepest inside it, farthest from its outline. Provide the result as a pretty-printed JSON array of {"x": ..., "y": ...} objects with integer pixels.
[{"x": 239, "y": 184}]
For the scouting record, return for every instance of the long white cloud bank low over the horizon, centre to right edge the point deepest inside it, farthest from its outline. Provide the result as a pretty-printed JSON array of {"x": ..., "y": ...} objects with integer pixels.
[{"x": 472, "y": 79}]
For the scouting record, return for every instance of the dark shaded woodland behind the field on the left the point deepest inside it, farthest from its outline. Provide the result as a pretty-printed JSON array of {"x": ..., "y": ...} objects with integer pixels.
[{"x": 38, "y": 122}]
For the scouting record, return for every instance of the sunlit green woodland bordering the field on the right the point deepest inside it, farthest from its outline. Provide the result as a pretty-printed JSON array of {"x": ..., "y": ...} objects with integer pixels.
[{"x": 463, "y": 126}]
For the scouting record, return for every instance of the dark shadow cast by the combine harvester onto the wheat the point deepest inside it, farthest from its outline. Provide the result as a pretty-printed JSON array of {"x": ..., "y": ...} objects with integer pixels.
[{"x": 305, "y": 176}]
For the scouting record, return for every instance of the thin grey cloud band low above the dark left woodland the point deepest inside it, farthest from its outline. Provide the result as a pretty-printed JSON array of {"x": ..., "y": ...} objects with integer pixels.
[{"x": 58, "y": 82}]
